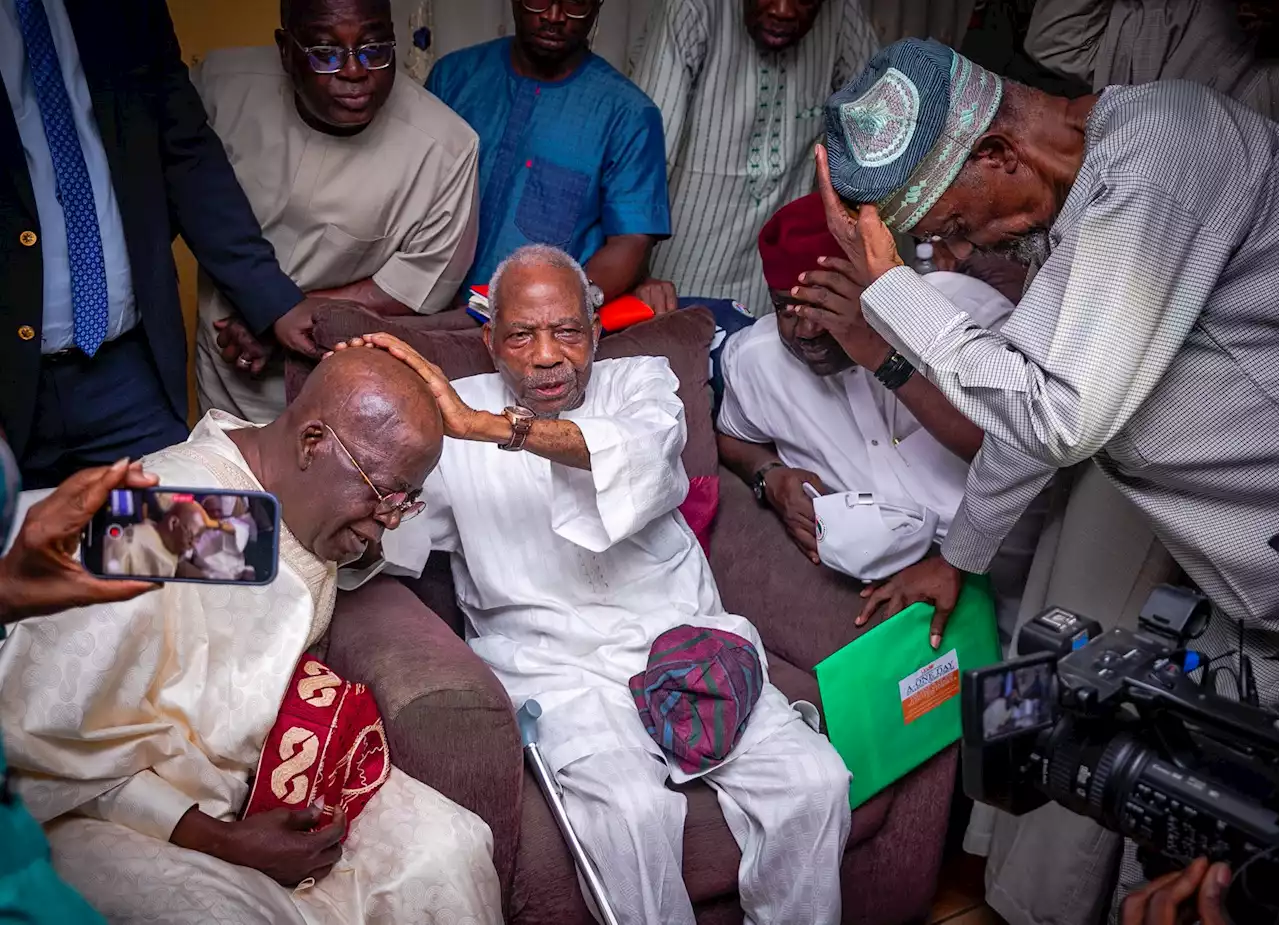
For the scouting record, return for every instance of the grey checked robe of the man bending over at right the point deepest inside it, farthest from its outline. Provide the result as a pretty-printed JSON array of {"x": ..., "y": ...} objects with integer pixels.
[{"x": 1149, "y": 341}]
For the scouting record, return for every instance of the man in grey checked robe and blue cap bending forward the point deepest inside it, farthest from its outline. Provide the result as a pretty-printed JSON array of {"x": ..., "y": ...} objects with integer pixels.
[{"x": 1149, "y": 338}]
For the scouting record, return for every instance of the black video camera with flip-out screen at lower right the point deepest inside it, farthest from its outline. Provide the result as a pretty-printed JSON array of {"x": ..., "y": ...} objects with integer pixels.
[{"x": 1114, "y": 727}]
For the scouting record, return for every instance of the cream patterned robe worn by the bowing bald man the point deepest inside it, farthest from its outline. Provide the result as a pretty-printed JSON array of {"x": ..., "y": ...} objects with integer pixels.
[{"x": 120, "y": 718}]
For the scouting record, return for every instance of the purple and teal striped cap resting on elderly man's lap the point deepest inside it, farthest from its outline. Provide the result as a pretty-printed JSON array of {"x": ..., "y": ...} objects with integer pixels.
[{"x": 698, "y": 693}]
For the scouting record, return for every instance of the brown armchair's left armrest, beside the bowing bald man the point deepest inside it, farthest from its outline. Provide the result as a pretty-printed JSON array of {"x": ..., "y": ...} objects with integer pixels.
[{"x": 449, "y": 720}]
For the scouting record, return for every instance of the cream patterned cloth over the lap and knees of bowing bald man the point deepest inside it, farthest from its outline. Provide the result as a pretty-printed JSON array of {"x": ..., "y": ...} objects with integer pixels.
[{"x": 413, "y": 858}]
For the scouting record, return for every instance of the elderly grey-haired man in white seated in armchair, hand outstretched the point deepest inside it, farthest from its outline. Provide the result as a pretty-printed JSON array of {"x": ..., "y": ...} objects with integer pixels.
[{"x": 559, "y": 500}]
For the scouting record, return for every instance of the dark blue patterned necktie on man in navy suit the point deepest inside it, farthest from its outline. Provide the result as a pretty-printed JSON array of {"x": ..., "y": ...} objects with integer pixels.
[{"x": 75, "y": 191}]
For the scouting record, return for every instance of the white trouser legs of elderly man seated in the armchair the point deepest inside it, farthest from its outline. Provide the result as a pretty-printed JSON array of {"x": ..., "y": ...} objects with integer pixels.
[{"x": 787, "y": 802}]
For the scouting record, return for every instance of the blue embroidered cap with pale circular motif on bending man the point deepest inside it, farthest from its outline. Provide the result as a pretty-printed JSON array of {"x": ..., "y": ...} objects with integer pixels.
[{"x": 900, "y": 132}]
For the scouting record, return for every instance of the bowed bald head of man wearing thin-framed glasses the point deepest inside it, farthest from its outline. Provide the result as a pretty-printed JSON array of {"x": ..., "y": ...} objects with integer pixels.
[{"x": 351, "y": 451}]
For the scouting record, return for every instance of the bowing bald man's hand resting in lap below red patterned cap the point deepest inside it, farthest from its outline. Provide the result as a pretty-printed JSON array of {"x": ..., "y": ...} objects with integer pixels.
[{"x": 285, "y": 844}]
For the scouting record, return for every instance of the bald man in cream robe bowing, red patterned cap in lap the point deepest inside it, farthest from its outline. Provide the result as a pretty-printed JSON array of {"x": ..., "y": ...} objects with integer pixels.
[{"x": 134, "y": 730}]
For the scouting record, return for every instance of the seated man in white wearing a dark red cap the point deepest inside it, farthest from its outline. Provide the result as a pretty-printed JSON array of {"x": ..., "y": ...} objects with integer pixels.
[{"x": 829, "y": 404}]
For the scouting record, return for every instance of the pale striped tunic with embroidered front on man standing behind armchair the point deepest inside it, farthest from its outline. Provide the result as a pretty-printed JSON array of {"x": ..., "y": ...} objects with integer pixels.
[{"x": 740, "y": 130}]
